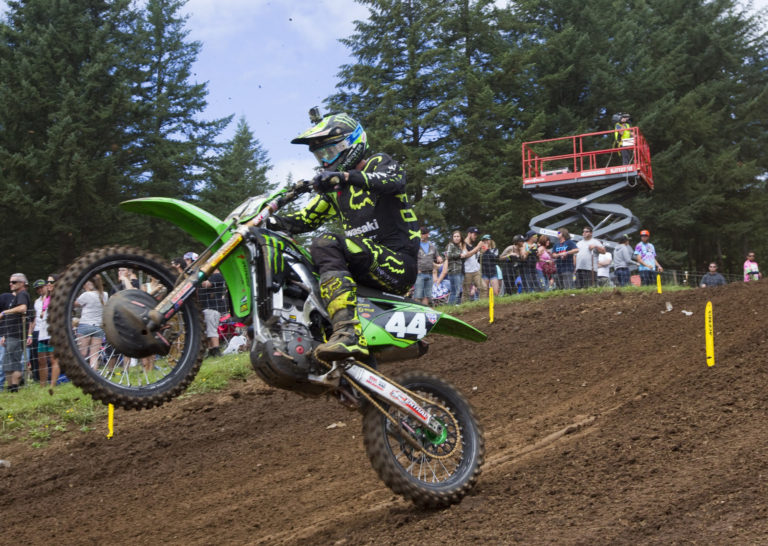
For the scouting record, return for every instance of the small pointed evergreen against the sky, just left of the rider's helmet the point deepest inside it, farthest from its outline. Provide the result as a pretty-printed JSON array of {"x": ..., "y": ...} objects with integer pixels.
[{"x": 240, "y": 171}]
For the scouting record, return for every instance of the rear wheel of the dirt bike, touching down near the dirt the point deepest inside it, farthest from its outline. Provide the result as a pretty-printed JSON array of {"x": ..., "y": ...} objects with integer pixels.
[{"x": 448, "y": 467}]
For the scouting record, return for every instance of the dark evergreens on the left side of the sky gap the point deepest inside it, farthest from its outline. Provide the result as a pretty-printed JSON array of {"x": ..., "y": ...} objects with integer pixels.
[{"x": 98, "y": 105}]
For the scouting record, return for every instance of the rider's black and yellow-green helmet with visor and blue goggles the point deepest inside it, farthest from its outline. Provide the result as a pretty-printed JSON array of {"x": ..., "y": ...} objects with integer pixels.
[{"x": 338, "y": 142}]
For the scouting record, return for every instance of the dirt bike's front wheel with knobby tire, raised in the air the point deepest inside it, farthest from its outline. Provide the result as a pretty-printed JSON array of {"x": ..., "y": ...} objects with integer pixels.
[{"x": 88, "y": 353}]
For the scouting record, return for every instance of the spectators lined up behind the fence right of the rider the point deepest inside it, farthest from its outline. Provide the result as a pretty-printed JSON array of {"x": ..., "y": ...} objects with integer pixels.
[{"x": 472, "y": 264}]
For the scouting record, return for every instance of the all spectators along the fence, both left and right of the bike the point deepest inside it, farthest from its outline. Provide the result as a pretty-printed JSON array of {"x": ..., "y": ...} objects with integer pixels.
[{"x": 467, "y": 268}]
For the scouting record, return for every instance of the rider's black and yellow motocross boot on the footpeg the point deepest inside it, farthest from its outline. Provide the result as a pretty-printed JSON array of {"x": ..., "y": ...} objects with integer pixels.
[{"x": 339, "y": 293}]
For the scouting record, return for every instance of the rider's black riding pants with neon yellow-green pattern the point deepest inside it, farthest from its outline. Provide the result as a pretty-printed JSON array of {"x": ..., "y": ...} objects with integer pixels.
[{"x": 369, "y": 263}]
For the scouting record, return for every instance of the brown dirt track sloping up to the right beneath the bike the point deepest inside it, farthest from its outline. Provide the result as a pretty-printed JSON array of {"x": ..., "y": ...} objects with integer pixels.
[{"x": 603, "y": 425}]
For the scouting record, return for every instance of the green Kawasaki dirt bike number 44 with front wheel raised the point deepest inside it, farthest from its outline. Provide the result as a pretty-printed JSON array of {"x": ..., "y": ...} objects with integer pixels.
[{"x": 420, "y": 432}]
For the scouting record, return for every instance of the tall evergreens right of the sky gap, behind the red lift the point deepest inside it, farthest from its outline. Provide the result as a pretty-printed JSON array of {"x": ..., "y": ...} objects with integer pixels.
[{"x": 453, "y": 88}]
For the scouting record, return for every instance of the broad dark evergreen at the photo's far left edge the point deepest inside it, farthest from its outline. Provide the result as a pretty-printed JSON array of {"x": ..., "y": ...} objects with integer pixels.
[{"x": 63, "y": 103}]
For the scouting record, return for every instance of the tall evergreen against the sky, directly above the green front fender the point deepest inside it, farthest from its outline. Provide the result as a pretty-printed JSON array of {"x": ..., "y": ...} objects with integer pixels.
[{"x": 172, "y": 145}]
